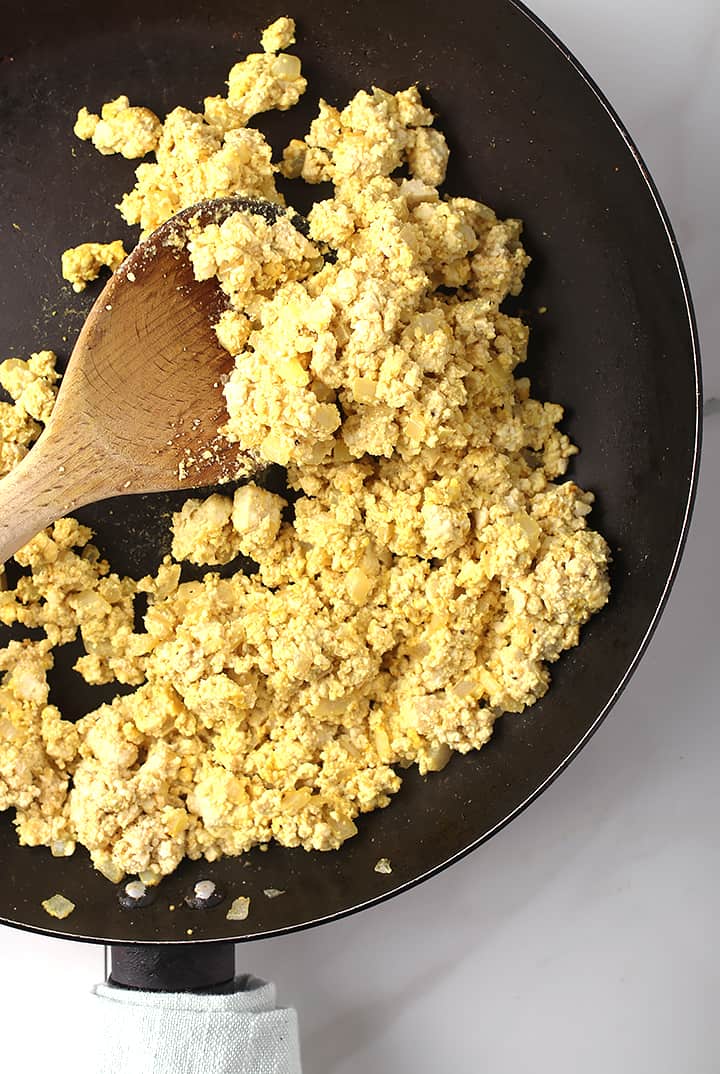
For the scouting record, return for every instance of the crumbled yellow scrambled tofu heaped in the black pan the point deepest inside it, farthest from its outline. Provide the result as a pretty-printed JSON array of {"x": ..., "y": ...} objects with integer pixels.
[{"x": 425, "y": 568}]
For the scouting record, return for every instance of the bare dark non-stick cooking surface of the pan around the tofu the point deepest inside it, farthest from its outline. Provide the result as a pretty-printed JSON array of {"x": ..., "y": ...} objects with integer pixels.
[{"x": 531, "y": 136}]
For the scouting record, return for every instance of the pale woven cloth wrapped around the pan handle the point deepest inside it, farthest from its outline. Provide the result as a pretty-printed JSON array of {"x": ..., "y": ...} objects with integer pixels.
[{"x": 239, "y": 1033}]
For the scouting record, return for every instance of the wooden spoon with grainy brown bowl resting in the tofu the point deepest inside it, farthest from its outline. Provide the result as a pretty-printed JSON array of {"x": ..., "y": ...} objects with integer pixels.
[{"x": 141, "y": 402}]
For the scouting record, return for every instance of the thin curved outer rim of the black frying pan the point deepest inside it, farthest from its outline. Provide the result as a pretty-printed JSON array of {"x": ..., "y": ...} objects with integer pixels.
[{"x": 668, "y": 586}]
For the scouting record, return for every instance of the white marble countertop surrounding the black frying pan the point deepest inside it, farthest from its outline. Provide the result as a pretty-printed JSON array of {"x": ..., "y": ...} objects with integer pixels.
[{"x": 586, "y": 936}]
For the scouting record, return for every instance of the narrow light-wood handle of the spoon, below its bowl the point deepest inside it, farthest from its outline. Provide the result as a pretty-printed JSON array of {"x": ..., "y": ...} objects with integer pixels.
[{"x": 53, "y": 481}]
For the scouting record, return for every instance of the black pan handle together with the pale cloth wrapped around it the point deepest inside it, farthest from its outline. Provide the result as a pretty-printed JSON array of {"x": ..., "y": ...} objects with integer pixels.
[{"x": 155, "y": 1017}]
